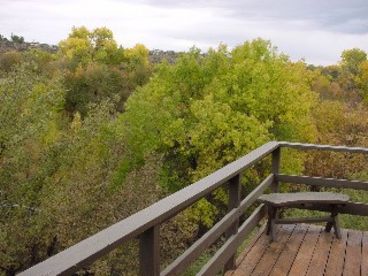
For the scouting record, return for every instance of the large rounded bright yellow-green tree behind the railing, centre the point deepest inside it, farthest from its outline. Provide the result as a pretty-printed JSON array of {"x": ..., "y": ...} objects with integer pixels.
[{"x": 207, "y": 110}]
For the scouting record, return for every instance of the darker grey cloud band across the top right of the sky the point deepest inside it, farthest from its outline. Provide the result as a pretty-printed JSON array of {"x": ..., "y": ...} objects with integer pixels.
[{"x": 338, "y": 15}]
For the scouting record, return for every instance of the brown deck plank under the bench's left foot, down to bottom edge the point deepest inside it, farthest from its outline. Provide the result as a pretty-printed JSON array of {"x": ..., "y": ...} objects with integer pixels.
[{"x": 274, "y": 250}]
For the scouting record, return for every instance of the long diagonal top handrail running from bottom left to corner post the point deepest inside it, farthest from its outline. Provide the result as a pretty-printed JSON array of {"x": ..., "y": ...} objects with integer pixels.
[{"x": 99, "y": 244}]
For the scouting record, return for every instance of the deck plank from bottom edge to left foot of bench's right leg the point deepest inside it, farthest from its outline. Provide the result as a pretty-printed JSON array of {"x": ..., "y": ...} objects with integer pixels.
[{"x": 320, "y": 254}]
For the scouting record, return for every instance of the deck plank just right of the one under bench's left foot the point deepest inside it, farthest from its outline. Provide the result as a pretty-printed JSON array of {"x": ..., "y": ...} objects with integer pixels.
[{"x": 286, "y": 259}]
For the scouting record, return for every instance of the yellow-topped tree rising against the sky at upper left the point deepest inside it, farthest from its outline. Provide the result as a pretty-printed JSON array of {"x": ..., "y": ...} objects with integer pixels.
[{"x": 97, "y": 69}]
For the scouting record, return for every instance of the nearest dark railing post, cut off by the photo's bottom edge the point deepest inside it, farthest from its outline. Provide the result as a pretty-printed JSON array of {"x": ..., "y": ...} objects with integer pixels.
[{"x": 149, "y": 252}]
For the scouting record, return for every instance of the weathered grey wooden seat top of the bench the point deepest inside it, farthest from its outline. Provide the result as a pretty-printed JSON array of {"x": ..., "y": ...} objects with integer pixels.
[{"x": 288, "y": 199}]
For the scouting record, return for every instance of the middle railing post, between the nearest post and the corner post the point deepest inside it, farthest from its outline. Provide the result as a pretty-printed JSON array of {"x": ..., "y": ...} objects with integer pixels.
[{"x": 234, "y": 201}]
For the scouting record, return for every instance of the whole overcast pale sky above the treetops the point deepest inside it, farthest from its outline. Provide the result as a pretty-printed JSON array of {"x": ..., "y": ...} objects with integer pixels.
[{"x": 316, "y": 30}]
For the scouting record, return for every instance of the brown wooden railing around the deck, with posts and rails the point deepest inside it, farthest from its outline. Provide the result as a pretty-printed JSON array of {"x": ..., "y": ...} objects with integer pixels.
[{"x": 146, "y": 223}]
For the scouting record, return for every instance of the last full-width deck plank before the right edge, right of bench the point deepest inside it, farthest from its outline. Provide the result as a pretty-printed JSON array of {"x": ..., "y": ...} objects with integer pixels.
[{"x": 353, "y": 256}]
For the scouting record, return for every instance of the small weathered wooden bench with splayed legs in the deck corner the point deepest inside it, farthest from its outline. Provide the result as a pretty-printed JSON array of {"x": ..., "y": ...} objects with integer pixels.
[{"x": 275, "y": 201}]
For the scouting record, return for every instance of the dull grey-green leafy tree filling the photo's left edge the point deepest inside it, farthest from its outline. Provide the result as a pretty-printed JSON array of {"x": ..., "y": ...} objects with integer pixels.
[{"x": 30, "y": 109}]
